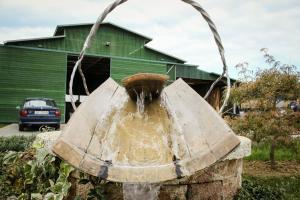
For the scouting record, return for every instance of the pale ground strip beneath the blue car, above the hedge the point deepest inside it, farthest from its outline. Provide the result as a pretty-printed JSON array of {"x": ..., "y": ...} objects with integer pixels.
[{"x": 12, "y": 130}]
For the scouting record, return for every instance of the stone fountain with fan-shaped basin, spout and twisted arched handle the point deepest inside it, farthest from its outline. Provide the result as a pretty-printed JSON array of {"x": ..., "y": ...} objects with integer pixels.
[{"x": 153, "y": 138}]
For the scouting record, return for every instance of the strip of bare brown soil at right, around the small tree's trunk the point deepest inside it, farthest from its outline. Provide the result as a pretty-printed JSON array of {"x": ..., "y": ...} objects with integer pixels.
[{"x": 262, "y": 168}]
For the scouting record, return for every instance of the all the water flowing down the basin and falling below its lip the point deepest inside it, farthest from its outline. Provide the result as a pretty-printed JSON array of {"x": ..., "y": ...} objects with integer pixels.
[{"x": 149, "y": 144}]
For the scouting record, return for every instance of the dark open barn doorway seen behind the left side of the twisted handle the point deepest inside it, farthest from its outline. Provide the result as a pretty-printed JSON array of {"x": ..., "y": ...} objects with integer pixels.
[{"x": 96, "y": 71}]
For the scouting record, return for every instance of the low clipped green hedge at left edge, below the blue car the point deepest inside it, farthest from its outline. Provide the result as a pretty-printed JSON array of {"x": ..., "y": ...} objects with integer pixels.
[{"x": 15, "y": 143}]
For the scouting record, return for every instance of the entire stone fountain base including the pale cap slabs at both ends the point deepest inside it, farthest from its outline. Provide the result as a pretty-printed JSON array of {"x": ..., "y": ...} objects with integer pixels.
[{"x": 219, "y": 181}]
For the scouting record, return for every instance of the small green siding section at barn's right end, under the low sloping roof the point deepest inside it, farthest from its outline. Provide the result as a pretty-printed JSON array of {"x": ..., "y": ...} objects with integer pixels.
[{"x": 192, "y": 72}]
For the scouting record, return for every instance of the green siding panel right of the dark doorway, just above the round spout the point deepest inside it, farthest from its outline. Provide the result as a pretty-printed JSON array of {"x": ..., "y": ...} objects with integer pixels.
[{"x": 121, "y": 68}]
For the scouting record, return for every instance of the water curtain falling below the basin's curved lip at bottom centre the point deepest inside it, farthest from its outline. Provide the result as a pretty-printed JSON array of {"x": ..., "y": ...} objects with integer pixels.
[{"x": 140, "y": 191}]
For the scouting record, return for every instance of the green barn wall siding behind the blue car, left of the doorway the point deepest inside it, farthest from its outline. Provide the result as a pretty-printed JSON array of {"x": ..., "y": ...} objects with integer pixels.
[{"x": 30, "y": 73}]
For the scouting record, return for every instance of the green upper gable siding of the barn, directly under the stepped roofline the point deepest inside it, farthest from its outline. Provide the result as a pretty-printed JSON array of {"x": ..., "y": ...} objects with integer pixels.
[{"x": 122, "y": 43}]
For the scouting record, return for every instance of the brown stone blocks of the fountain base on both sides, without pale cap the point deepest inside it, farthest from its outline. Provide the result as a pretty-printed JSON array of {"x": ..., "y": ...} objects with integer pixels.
[{"x": 220, "y": 181}]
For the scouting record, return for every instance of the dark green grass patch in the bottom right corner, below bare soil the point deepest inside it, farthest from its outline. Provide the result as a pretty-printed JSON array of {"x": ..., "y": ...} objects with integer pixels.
[{"x": 288, "y": 185}]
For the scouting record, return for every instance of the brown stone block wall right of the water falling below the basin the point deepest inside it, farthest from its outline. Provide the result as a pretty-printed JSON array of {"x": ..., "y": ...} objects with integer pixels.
[{"x": 220, "y": 181}]
